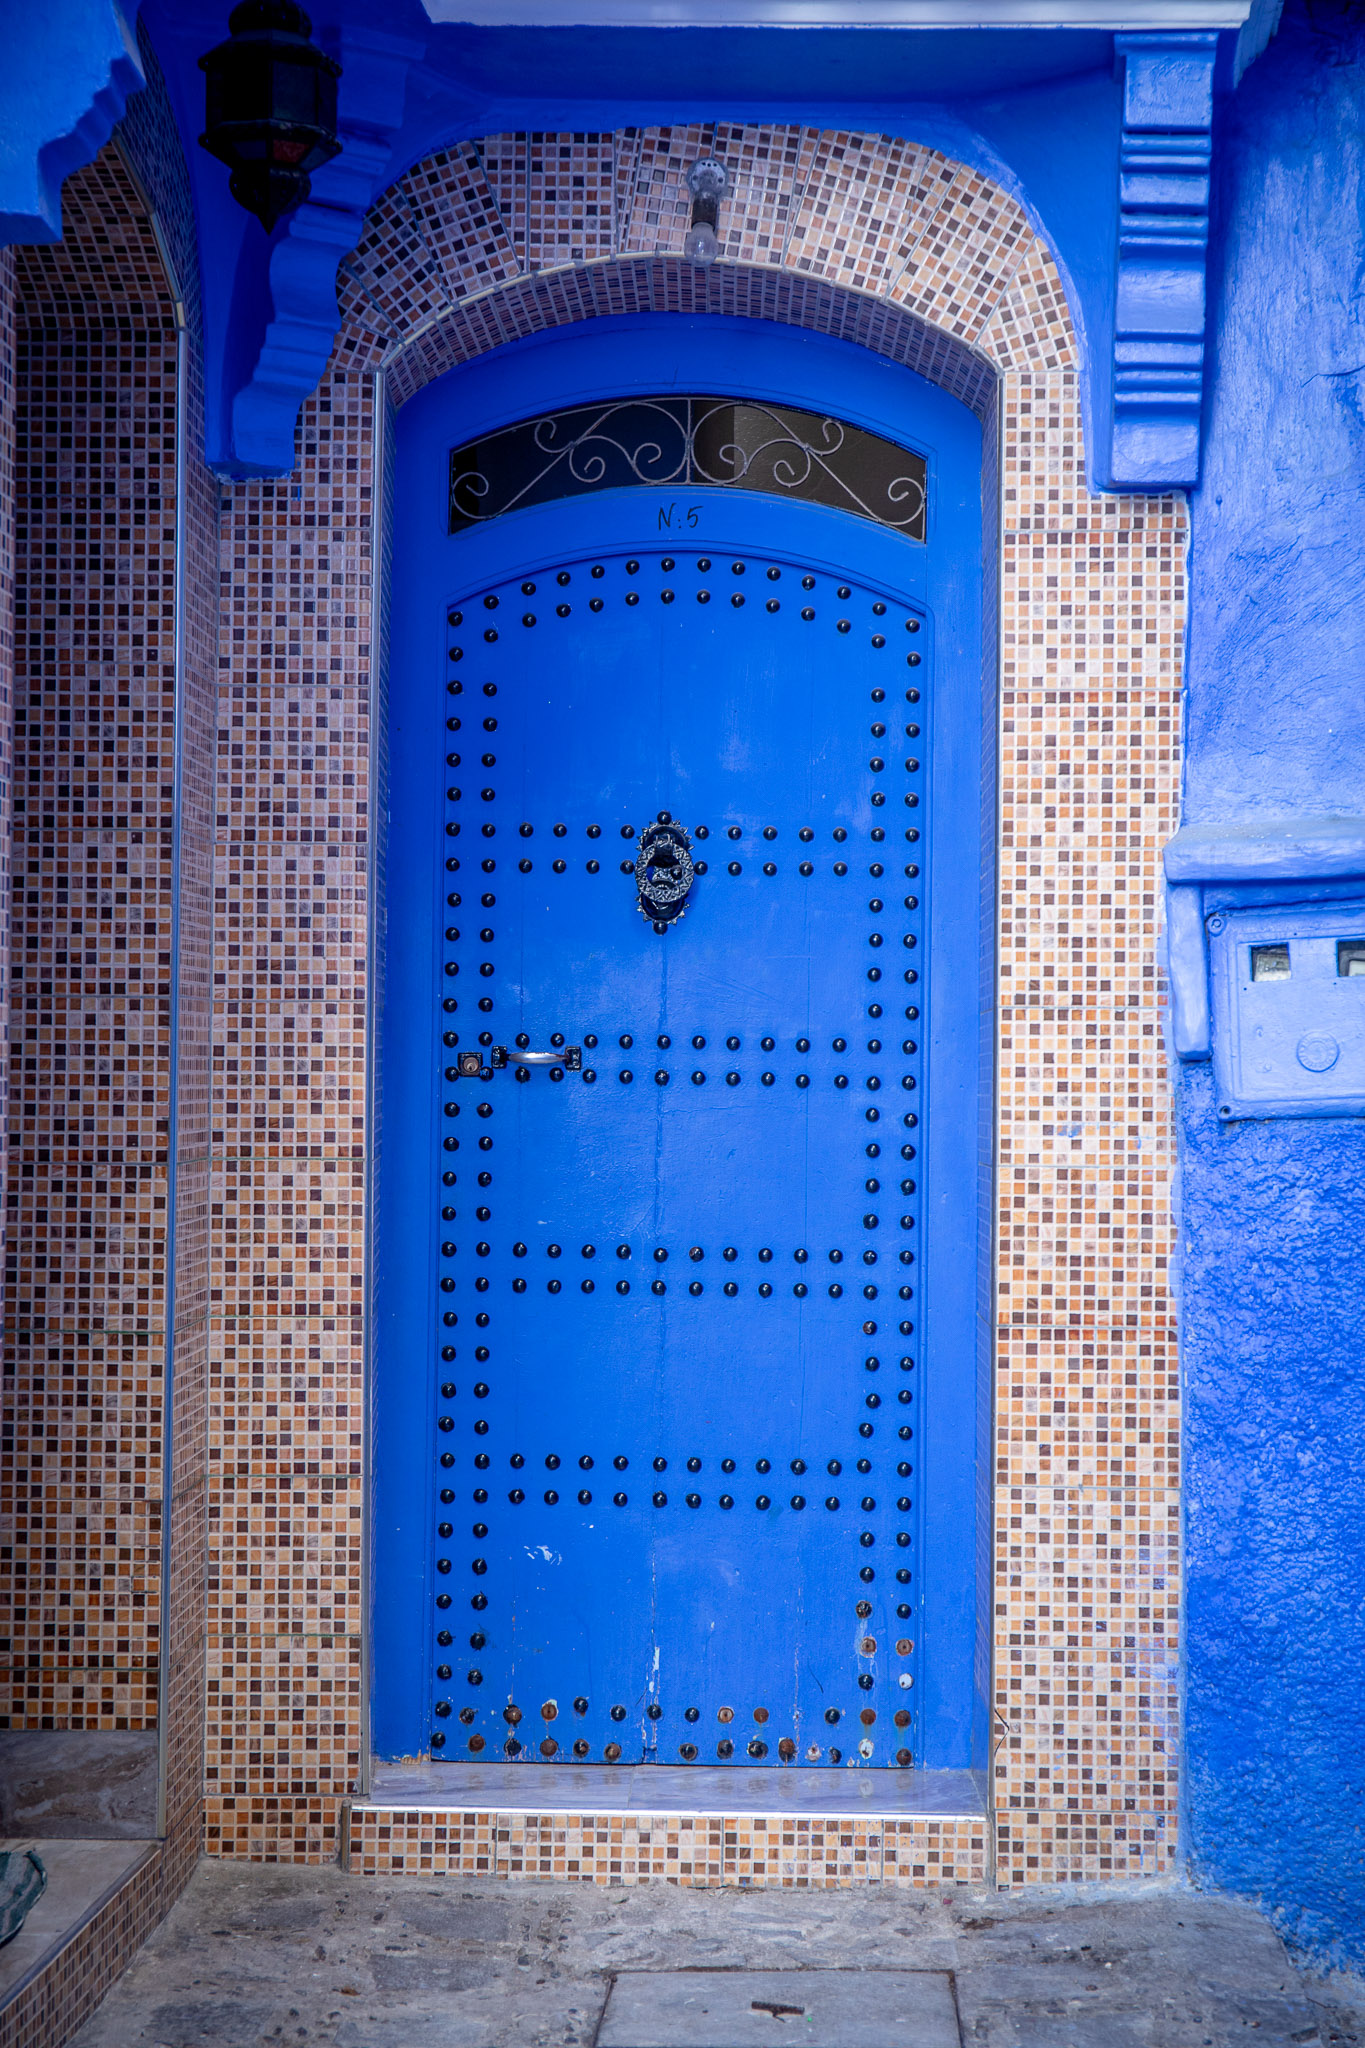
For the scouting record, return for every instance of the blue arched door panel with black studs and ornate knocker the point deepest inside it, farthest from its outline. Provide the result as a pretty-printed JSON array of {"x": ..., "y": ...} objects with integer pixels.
[{"x": 664, "y": 1240}]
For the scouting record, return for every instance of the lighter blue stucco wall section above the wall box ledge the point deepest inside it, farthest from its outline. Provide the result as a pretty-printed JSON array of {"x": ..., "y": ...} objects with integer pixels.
[{"x": 1278, "y": 630}]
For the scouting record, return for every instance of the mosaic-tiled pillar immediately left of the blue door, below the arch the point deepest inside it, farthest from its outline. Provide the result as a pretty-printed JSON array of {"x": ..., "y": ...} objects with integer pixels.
[{"x": 290, "y": 1043}]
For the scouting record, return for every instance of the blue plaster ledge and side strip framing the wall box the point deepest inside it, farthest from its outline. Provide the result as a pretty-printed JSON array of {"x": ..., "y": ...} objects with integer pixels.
[{"x": 1243, "y": 863}]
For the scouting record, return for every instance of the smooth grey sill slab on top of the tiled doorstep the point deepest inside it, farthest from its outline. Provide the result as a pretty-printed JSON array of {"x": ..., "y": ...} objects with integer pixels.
[{"x": 674, "y": 1789}]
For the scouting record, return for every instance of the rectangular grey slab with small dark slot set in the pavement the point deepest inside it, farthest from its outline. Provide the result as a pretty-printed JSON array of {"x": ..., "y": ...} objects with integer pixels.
[{"x": 773, "y": 2008}]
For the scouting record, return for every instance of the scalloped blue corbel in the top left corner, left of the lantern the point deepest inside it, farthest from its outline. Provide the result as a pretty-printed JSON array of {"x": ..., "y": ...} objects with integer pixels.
[{"x": 69, "y": 73}]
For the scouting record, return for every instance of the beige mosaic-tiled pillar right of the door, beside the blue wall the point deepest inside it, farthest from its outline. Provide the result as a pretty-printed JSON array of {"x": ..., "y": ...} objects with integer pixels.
[{"x": 1088, "y": 1482}]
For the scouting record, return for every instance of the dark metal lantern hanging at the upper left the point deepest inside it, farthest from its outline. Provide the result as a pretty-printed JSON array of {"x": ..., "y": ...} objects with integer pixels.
[{"x": 269, "y": 108}]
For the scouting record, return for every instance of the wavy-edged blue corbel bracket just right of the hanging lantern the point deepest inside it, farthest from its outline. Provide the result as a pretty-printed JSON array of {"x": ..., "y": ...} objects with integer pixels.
[{"x": 302, "y": 280}]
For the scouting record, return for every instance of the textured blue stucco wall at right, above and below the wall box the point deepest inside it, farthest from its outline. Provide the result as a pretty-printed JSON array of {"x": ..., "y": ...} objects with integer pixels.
[{"x": 1274, "y": 1211}]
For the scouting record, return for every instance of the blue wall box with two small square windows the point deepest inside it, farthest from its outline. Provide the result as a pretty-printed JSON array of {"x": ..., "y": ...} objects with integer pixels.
[{"x": 1288, "y": 986}]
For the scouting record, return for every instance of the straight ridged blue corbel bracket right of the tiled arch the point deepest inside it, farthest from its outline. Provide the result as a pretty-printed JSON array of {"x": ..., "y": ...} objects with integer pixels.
[{"x": 1161, "y": 292}]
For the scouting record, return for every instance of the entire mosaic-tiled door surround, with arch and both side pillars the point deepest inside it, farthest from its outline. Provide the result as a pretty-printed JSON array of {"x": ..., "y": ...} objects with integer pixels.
[{"x": 920, "y": 259}]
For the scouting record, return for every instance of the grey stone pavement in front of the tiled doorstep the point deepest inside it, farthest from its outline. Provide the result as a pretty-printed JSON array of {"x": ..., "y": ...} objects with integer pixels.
[{"x": 257, "y": 1957}]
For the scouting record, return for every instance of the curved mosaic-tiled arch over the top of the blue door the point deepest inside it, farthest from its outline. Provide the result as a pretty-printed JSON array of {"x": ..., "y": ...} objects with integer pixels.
[{"x": 881, "y": 243}]
